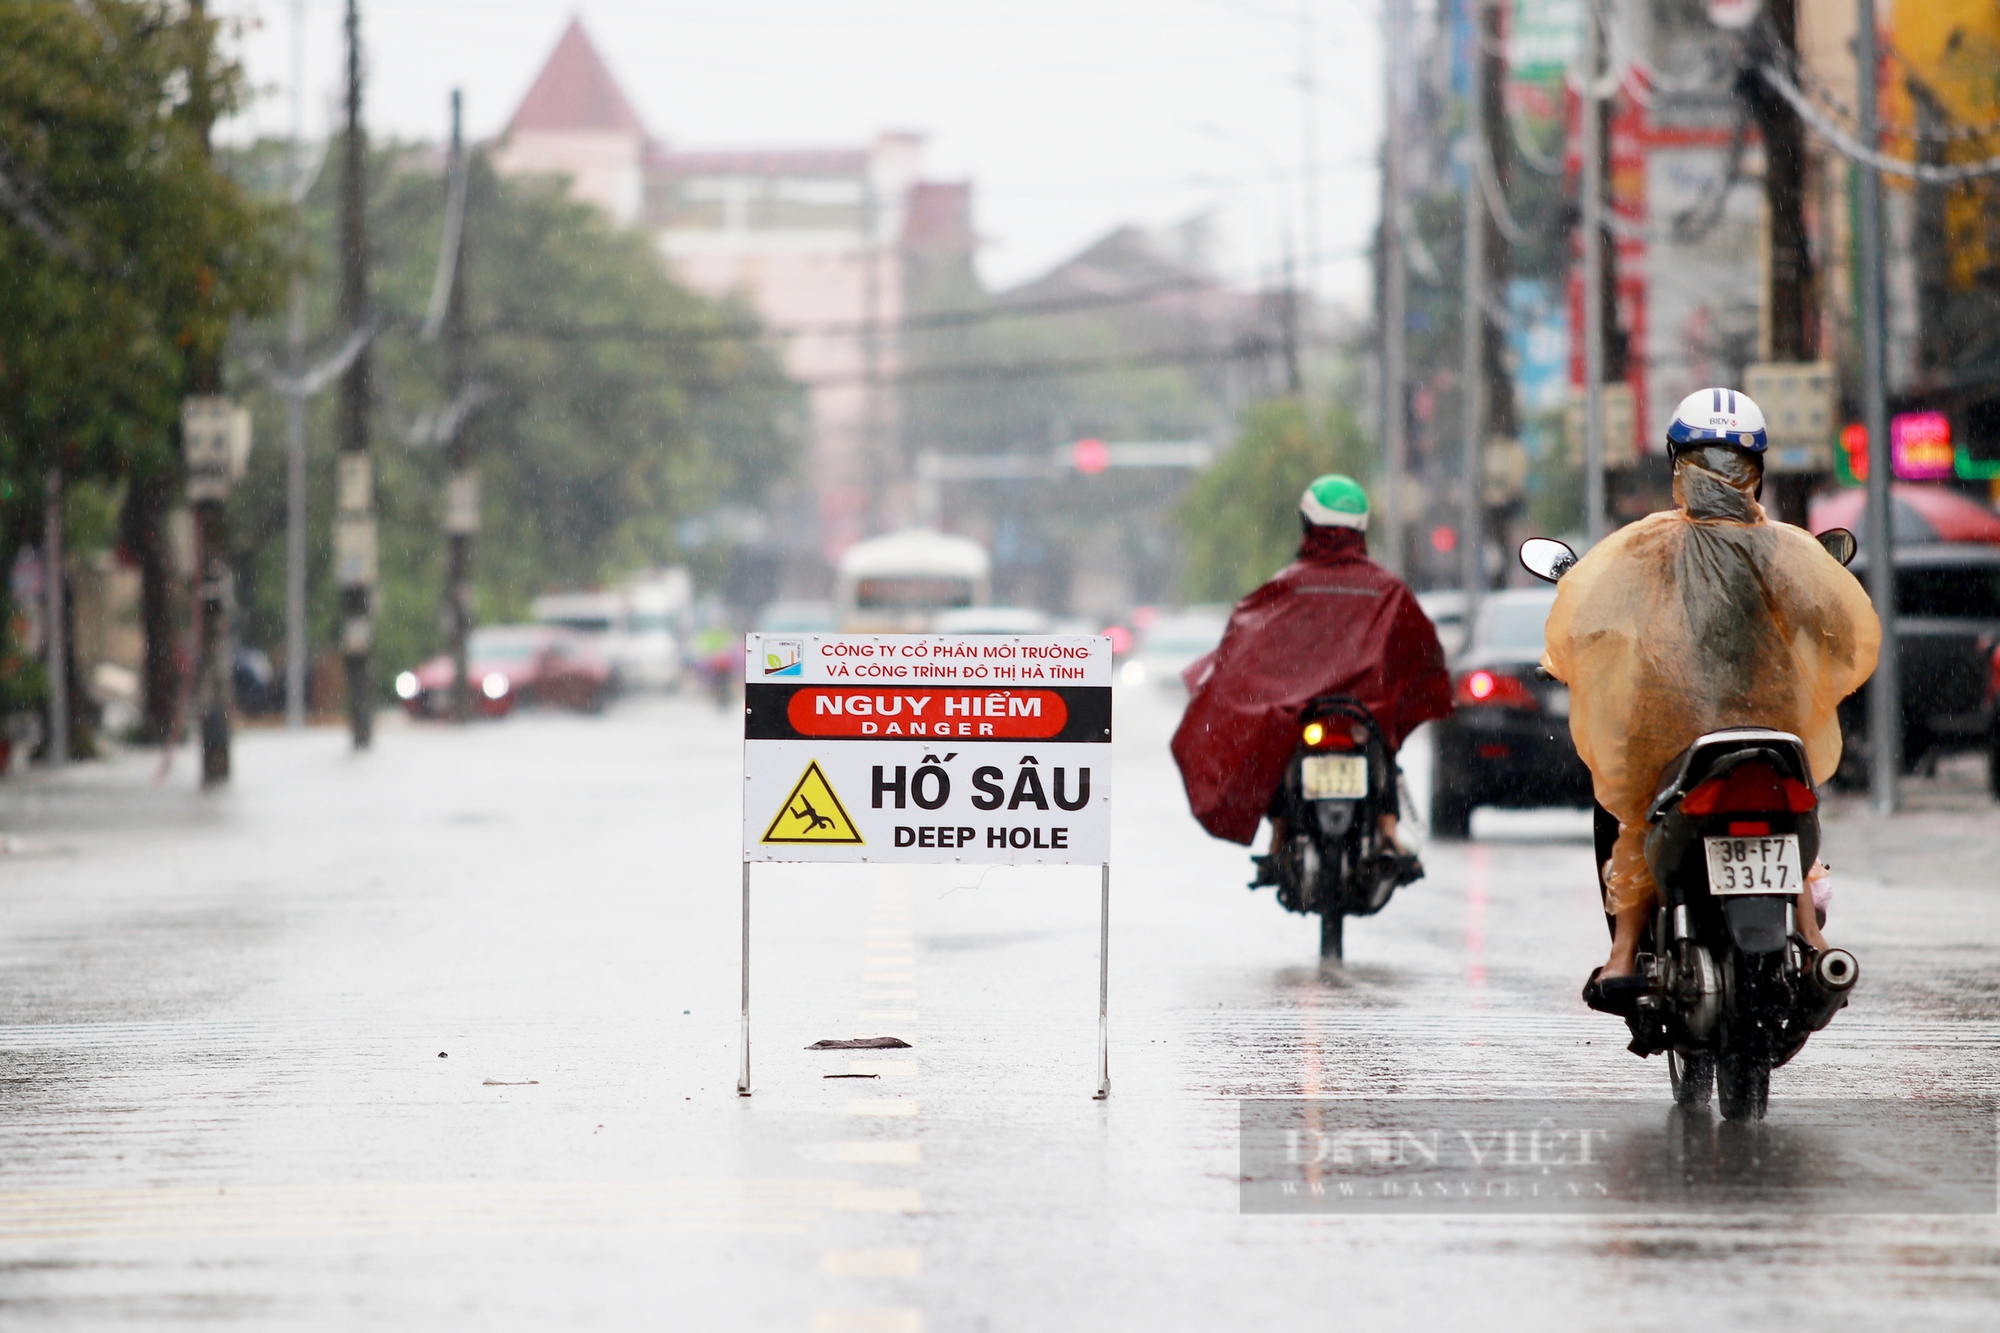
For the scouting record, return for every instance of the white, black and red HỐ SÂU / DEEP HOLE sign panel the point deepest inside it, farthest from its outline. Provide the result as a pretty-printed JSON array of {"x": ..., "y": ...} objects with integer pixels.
[{"x": 987, "y": 750}]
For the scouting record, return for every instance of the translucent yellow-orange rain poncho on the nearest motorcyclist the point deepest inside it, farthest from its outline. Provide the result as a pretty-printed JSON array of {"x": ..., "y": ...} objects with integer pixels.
[{"x": 1691, "y": 621}]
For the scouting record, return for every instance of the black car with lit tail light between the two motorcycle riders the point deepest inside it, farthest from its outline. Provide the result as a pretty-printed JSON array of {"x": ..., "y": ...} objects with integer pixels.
[{"x": 1509, "y": 738}]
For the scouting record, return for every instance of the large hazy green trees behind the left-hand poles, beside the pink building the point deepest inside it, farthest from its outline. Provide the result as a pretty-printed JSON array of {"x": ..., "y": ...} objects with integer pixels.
[{"x": 617, "y": 405}]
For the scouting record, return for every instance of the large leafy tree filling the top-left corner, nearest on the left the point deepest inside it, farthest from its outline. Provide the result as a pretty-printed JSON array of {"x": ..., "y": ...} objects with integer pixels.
[{"x": 123, "y": 257}]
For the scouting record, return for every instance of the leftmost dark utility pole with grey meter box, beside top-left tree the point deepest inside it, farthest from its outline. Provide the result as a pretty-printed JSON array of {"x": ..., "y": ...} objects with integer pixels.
[{"x": 213, "y": 686}]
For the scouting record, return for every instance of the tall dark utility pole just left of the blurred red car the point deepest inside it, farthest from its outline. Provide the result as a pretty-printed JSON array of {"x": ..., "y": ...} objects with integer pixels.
[{"x": 355, "y": 539}]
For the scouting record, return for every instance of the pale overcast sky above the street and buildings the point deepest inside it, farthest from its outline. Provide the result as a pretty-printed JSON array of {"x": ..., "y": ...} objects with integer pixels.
[{"x": 1069, "y": 117}]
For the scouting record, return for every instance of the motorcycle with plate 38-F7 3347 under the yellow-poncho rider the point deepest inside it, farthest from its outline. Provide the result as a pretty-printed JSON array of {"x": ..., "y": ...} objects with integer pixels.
[{"x": 1731, "y": 988}]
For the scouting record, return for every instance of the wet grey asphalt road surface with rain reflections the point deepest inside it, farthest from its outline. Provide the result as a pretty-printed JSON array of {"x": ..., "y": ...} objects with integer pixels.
[{"x": 447, "y": 1038}]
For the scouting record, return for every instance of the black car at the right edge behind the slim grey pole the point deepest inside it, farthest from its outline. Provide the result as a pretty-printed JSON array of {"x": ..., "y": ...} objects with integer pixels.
[{"x": 1949, "y": 627}]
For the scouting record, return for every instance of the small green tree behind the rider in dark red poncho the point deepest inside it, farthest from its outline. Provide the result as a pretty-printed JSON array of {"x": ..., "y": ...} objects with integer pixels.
[{"x": 1241, "y": 519}]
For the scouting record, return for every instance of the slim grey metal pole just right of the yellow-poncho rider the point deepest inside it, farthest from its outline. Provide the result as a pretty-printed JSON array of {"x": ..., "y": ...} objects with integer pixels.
[{"x": 1885, "y": 694}]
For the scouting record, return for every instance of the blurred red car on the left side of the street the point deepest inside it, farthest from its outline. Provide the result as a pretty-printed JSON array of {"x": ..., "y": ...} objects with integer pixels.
[{"x": 513, "y": 668}]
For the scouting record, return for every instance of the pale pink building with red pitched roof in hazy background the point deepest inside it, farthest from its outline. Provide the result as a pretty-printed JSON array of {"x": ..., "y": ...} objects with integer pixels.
[{"x": 813, "y": 239}]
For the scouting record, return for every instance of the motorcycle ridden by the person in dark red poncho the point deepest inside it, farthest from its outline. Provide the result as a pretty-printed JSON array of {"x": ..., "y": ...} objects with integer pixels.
[{"x": 1329, "y": 854}]
